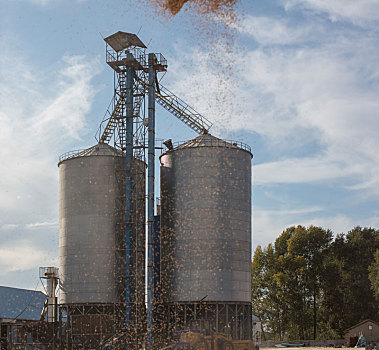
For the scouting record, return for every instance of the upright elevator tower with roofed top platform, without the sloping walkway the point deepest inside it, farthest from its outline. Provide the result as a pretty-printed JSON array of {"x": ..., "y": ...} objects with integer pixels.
[{"x": 135, "y": 75}]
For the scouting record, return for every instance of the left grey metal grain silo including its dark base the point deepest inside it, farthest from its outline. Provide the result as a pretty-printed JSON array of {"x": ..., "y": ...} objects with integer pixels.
[{"x": 92, "y": 245}]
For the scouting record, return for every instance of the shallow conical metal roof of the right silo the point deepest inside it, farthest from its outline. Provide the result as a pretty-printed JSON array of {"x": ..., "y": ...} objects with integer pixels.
[{"x": 208, "y": 140}]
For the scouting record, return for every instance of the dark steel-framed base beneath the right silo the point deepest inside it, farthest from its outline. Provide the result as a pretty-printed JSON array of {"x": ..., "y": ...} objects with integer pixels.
[{"x": 231, "y": 318}]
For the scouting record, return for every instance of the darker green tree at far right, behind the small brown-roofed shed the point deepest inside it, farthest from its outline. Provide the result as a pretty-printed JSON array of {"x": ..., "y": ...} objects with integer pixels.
[{"x": 347, "y": 296}]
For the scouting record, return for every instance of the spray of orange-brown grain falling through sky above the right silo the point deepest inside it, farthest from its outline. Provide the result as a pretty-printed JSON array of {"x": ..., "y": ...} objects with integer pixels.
[{"x": 212, "y": 26}]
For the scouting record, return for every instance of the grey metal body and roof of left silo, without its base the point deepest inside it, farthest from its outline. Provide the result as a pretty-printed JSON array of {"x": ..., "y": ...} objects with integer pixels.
[{"x": 91, "y": 232}]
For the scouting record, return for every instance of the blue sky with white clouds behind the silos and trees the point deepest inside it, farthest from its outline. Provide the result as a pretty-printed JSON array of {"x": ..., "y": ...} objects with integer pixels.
[{"x": 300, "y": 84}]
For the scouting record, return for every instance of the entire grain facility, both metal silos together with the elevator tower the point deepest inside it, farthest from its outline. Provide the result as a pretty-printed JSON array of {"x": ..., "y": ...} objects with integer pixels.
[{"x": 102, "y": 217}]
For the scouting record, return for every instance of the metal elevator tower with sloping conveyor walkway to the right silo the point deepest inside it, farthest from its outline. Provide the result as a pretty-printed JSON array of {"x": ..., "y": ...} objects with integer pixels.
[{"x": 125, "y": 124}]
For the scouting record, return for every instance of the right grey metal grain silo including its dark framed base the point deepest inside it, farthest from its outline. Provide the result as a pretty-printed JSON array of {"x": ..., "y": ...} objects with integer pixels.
[{"x": 206, "y": 234}]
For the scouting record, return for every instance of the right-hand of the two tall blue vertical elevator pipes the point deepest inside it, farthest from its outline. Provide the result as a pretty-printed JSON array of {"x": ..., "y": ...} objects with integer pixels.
[{"x": 150, "y": 198}]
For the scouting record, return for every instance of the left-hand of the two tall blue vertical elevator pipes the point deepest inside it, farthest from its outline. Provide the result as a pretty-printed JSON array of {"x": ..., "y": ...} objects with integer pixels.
[{"x": 128, "y": 195}]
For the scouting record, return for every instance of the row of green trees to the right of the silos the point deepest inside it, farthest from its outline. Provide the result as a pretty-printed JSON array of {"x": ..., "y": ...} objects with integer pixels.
[{"x": 309, "y": 284}]
